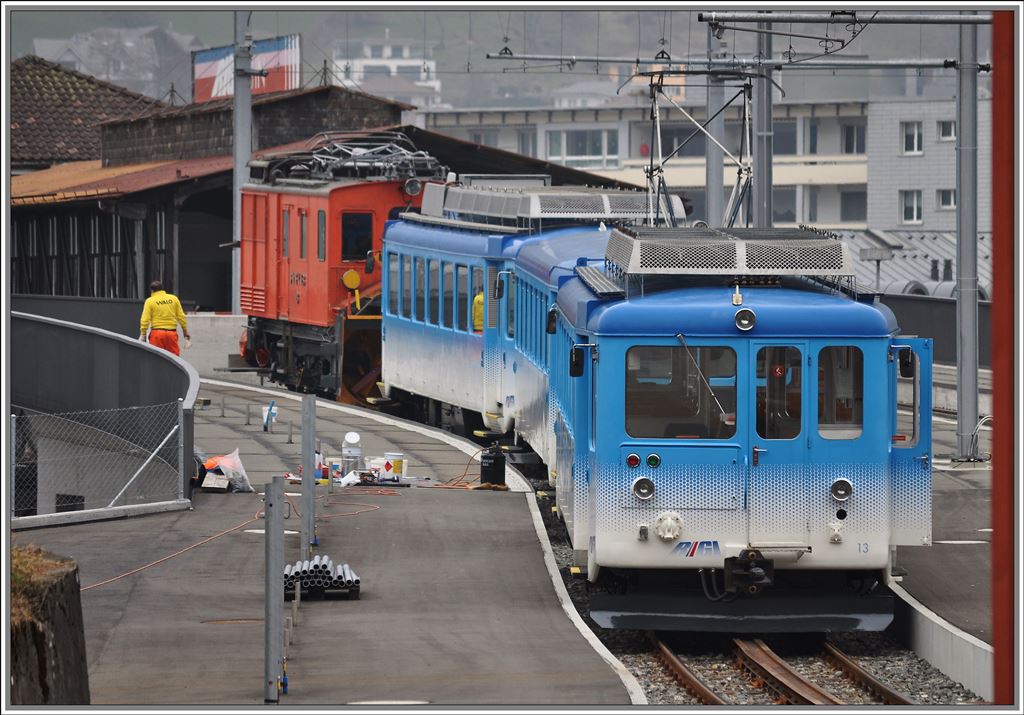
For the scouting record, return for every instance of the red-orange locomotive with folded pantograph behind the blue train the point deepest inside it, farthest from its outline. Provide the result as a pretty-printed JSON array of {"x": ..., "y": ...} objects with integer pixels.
[{"x": 312, "y": 225}]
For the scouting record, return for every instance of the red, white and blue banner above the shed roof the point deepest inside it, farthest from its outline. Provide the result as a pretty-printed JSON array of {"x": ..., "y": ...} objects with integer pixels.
[{"x": 214, "y": 70}]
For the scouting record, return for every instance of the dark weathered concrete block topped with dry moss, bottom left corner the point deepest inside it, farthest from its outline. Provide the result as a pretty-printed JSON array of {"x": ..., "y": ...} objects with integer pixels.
[{"x": 48, "y": 654}]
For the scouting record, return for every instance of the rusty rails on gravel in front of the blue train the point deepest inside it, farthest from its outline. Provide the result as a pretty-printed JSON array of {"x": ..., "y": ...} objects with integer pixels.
[{"x": 773, "y": 674}]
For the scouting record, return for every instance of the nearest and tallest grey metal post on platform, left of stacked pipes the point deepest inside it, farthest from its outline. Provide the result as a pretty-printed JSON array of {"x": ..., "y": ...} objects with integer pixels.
[{"x": 274, "y": 531}]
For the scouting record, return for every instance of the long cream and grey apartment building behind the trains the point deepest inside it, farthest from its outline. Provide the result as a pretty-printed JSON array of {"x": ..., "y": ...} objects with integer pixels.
[{"x": 874, "y": 160}]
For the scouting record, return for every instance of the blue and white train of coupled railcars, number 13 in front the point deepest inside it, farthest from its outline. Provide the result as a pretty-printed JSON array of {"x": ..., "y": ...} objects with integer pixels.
[{"x": 738, "y": 440}]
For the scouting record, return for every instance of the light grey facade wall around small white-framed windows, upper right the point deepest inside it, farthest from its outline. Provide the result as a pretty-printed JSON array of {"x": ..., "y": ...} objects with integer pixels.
[{"x": 890, "y": 171}]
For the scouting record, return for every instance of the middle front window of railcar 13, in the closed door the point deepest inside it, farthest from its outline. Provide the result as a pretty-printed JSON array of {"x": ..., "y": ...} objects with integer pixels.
[{"x": 779, "y": 398}]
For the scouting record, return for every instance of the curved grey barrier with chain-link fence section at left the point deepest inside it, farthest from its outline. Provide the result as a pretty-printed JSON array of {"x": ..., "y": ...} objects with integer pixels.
[{"x": 102, "y": 425}]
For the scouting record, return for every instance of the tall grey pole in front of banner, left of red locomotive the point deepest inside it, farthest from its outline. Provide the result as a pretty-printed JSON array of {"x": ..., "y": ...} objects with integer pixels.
[{"x": 242, "y": 144}]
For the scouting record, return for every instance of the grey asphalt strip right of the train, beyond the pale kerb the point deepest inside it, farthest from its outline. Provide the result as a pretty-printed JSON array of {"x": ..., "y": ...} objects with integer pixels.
[{"x": 955, "y": 580}]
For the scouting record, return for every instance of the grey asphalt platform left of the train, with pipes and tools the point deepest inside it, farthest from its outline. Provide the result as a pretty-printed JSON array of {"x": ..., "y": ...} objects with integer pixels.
[{"x": 457, "y": 608}]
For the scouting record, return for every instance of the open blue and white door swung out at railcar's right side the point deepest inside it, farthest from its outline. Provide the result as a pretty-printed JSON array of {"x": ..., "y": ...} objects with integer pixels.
[{"x": 911, "y": 391}]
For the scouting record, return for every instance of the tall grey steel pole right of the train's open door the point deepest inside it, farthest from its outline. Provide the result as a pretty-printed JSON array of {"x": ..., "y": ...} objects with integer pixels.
[{"x": 967, "y": 242}]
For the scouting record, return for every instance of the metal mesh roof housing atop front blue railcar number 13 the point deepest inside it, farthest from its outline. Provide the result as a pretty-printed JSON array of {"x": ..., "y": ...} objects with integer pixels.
[{"x": 729, "y": 253}]
